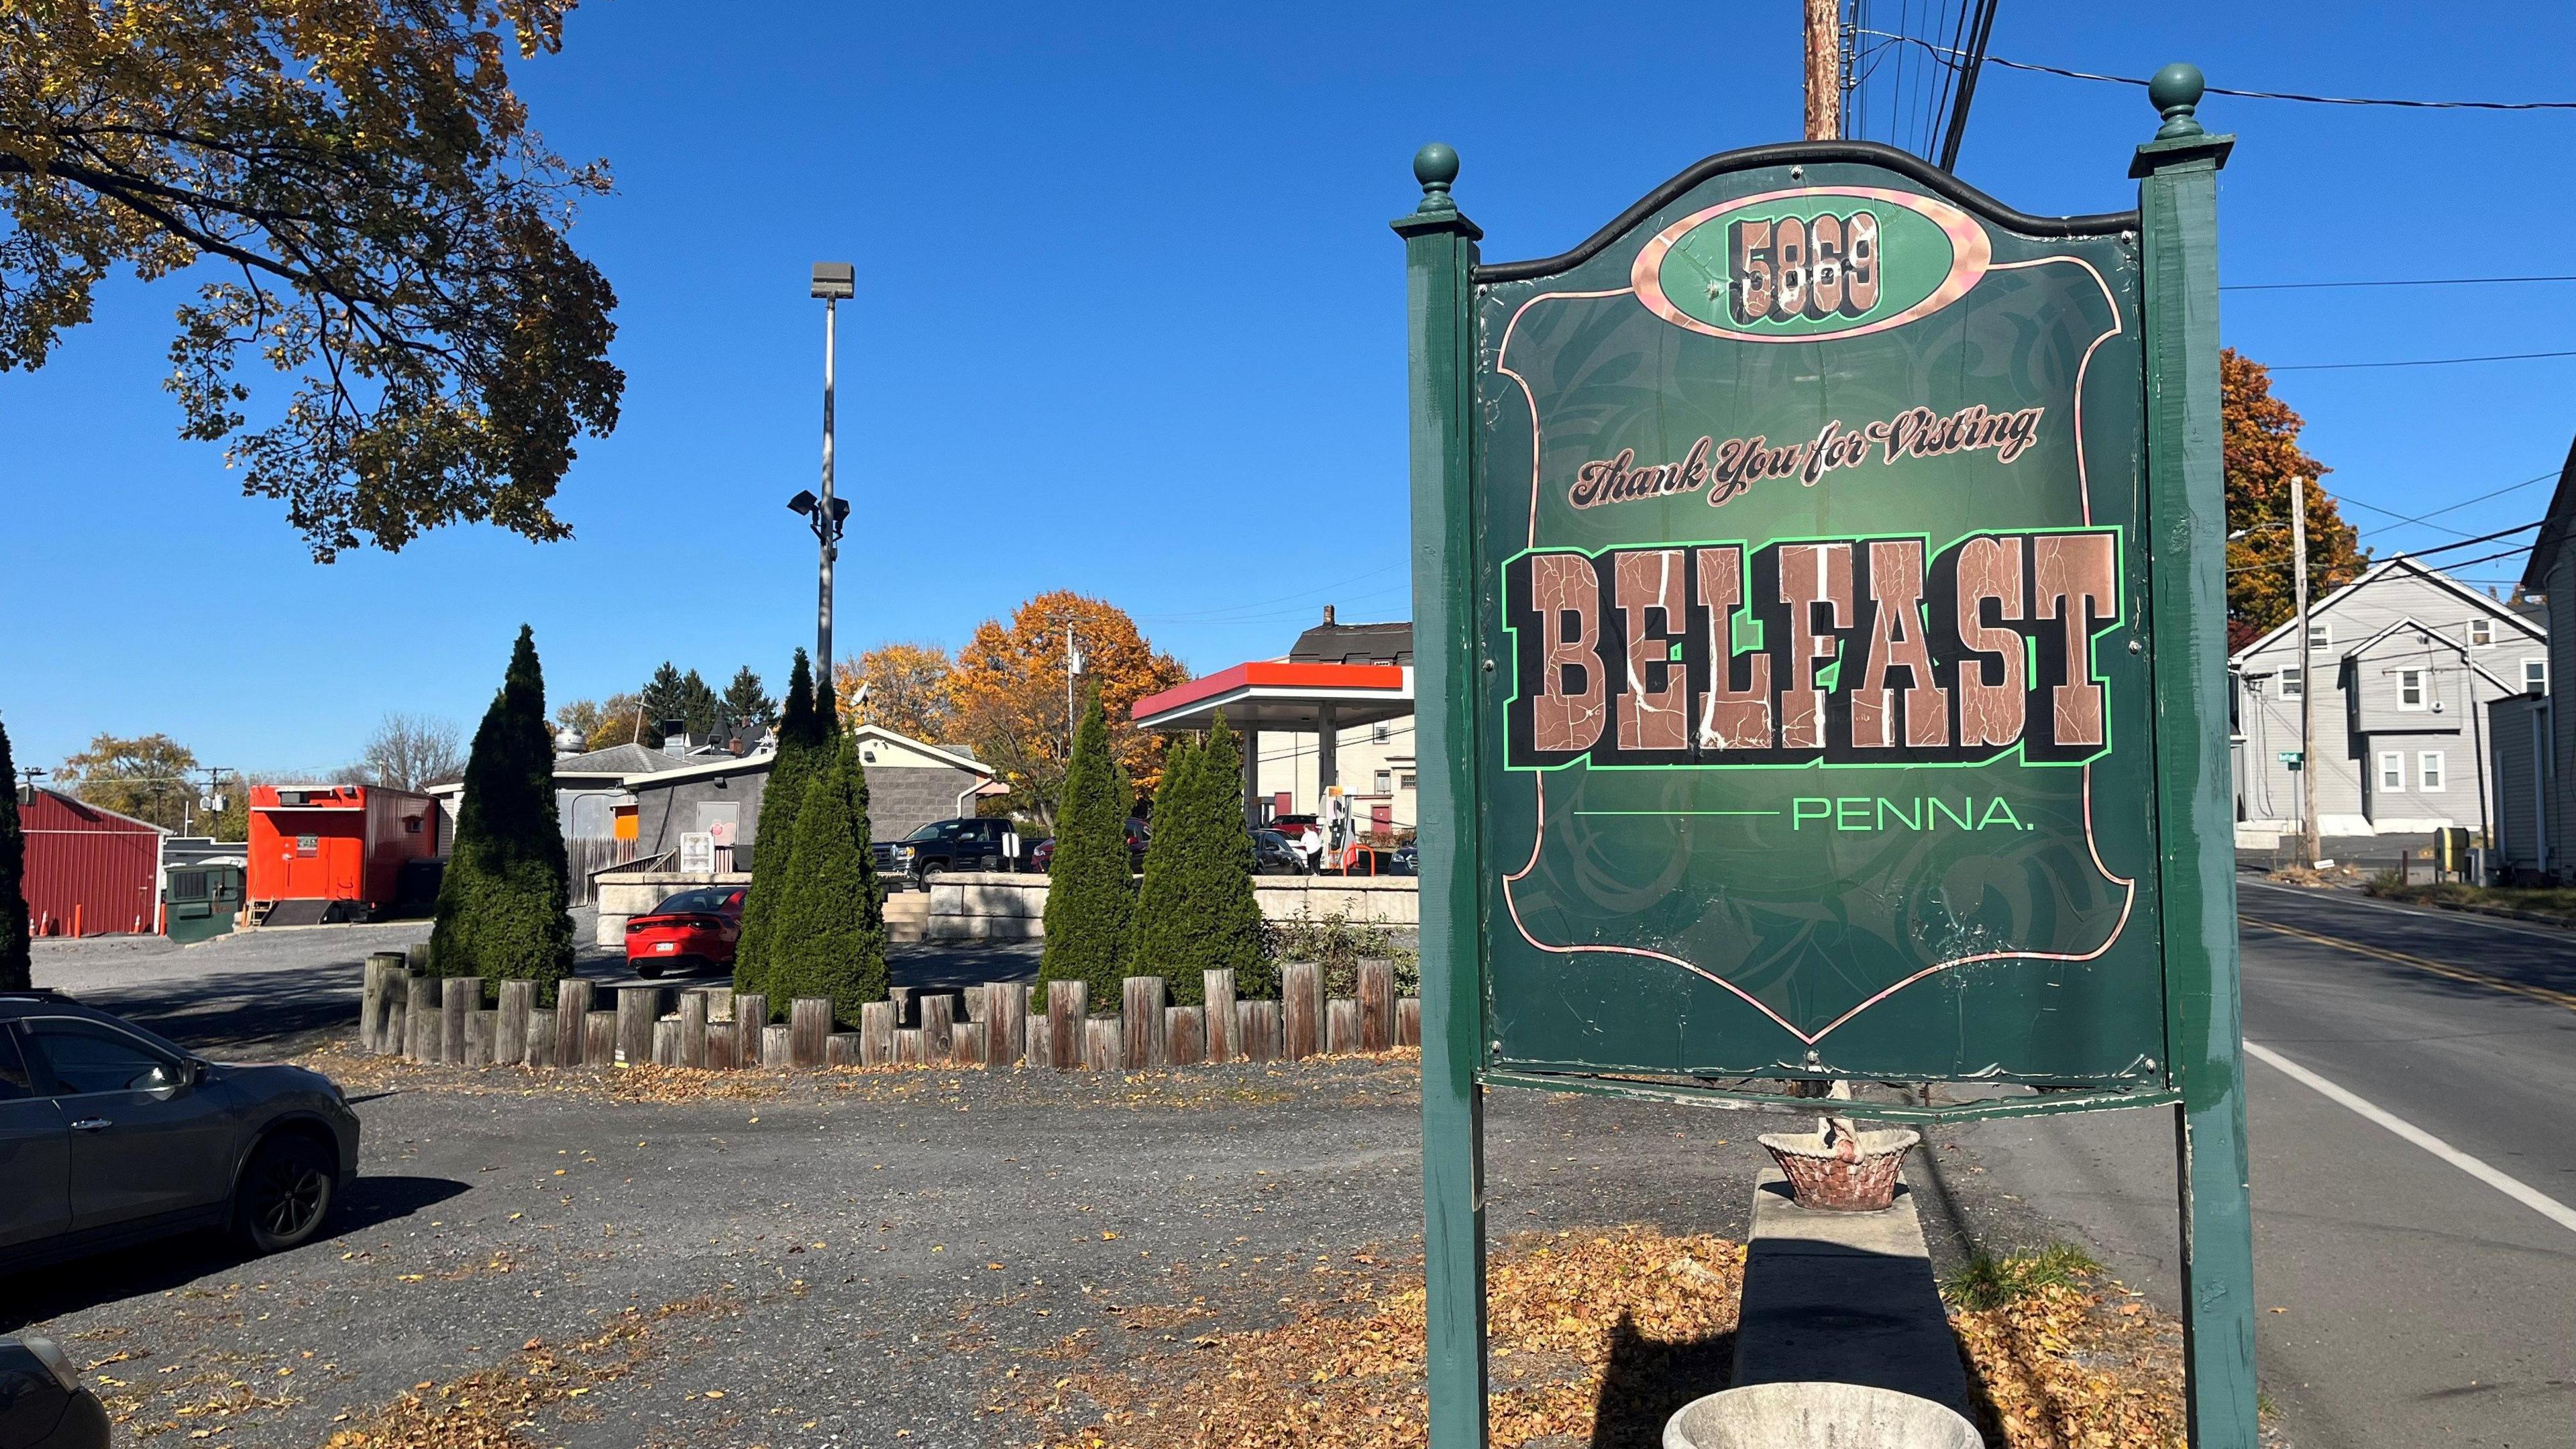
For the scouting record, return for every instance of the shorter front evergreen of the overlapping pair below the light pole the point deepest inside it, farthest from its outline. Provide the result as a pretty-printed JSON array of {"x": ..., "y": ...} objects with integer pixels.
[{"x": 831, "y": 919}]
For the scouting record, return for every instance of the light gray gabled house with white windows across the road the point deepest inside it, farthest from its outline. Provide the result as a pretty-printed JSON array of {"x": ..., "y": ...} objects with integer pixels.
[{"x": 2407, "y": 664}]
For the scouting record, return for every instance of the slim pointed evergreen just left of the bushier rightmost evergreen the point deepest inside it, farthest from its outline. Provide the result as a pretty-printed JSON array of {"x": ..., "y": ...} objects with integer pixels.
[{"x": 1091, "y": 893}]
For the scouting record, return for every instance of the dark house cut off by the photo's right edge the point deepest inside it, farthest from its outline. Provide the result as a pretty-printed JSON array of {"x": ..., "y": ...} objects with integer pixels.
[{"x": 2536, "y": 744}]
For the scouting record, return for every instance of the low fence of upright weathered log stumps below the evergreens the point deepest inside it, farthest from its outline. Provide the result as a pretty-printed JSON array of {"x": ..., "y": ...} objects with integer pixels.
[{"x": 442, "y": 1020}]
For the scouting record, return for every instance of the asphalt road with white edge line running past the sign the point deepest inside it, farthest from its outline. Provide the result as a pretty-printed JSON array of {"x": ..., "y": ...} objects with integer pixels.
[{"x": 2407, "y": 1298}]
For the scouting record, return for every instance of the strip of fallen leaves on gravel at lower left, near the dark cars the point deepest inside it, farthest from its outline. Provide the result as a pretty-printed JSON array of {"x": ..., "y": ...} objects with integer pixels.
[{"x": 493, "y": 1409}]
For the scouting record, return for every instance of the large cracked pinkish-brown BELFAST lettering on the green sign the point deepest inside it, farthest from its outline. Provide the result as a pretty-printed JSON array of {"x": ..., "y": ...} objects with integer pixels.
[{"x": 1815, "y": 651}]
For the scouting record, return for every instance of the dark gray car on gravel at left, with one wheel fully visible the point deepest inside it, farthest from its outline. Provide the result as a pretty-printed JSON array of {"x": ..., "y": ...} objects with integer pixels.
[{"x": 112, "y": 1136}]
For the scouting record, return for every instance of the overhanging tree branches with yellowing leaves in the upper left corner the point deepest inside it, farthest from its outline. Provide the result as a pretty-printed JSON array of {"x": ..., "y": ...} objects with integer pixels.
[{"x": 390, "y": 236}]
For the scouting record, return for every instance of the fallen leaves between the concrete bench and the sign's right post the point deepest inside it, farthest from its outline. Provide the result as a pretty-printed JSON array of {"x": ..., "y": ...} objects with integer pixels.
[{"x": 2062, "y": 1368}]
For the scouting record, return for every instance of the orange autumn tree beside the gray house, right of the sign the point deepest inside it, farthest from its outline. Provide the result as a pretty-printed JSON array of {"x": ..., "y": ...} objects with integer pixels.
[{"x": 2263, "y": 458}]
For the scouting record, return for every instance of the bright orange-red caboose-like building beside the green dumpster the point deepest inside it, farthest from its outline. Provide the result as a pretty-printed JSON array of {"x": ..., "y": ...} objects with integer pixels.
[{"x": 336, "y": 842}]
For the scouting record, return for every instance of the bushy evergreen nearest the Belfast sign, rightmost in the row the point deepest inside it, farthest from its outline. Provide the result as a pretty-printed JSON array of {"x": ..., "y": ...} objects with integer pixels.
[{"x": 1197, "y": 911}]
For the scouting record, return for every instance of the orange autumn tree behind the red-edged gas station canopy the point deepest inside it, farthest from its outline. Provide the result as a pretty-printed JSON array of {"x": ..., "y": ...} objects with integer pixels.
[{"x": 1009, "y": 695}]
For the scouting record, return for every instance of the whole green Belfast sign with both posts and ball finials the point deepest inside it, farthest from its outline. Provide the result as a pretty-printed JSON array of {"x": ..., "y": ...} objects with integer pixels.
[{"x": 1820, "y": 666}]
